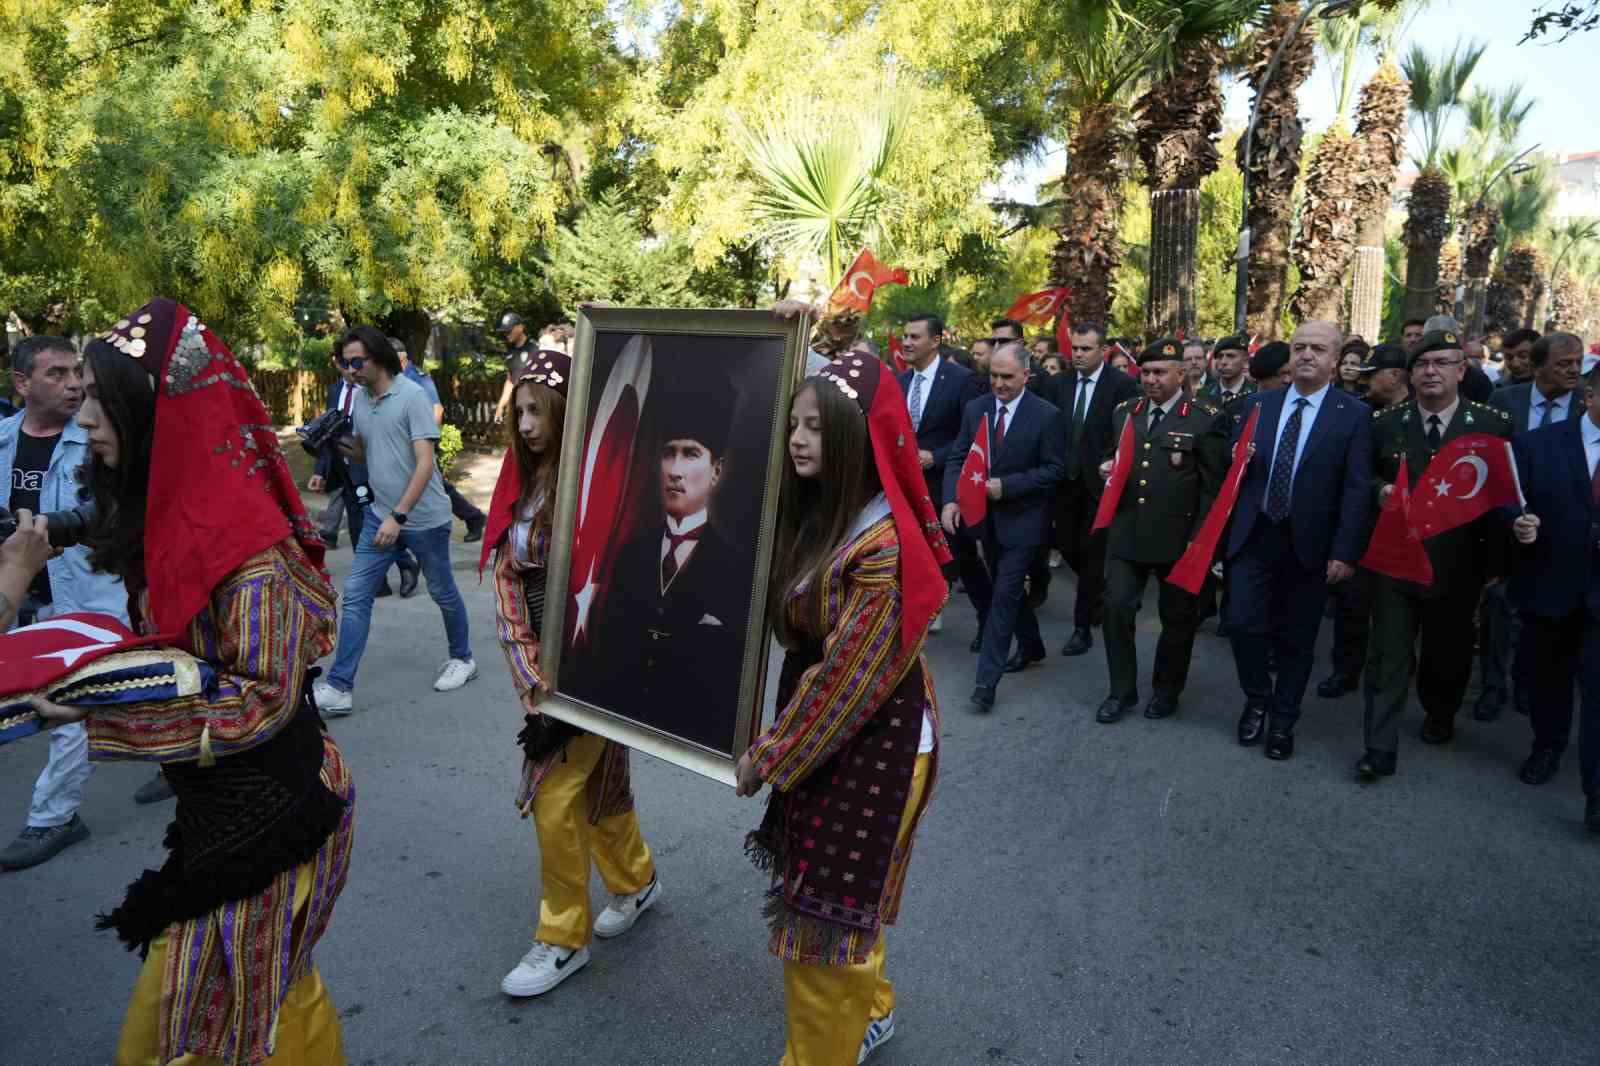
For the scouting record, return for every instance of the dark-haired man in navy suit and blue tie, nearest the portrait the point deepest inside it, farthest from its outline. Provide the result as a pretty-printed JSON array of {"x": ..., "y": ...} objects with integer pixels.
[{"x": 937, "y": 393}]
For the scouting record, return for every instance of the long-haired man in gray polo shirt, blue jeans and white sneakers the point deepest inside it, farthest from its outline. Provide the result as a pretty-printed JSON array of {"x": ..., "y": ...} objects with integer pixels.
[{"x": 396, "y": 435}]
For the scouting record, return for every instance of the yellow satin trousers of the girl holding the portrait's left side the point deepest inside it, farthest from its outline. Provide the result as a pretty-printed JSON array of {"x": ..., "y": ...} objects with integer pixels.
[{"x": 569, "y": 843}]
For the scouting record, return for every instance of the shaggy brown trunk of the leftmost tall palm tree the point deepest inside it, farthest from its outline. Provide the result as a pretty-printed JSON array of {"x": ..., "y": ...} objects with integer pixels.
[{"x": 1089, "y": 246}]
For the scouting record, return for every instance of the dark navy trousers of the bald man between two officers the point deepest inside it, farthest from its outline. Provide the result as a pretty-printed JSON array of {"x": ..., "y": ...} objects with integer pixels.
[{"x": 1274, "y": 604}]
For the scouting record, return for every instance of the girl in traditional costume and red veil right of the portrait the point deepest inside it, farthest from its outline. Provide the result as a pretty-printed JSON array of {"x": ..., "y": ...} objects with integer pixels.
[{"x": 854, "y": 750}]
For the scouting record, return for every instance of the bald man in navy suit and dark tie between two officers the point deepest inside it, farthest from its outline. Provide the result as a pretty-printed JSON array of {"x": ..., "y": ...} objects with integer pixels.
[{"x": 1302, "y": 524}]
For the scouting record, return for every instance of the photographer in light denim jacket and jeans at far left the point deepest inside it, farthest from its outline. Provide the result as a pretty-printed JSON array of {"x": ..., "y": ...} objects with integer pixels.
[{"x": 41, "y": 452}]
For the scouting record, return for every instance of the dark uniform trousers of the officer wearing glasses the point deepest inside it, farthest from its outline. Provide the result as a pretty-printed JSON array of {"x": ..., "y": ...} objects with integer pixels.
[{"x": 1442, "y": 665}]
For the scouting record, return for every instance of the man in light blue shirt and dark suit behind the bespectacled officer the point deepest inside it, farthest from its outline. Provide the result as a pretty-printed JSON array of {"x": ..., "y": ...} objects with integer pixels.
[{"x": 1551, "y": 396}]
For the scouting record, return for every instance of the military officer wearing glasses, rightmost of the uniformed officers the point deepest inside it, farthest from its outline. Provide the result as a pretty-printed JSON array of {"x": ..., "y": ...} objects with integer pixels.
[{"x": 1439, "y": 615}]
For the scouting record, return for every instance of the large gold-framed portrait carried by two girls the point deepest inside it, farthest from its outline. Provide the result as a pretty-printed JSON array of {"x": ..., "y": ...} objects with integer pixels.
[{"x": 575, "y": 654}]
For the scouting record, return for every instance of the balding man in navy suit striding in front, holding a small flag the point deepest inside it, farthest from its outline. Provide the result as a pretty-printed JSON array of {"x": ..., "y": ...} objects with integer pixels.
[{"x": 1026, "y": 457}]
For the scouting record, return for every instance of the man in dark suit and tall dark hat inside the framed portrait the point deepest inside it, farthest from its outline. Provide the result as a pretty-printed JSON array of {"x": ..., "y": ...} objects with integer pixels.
[{"x": 671, "y": 643}]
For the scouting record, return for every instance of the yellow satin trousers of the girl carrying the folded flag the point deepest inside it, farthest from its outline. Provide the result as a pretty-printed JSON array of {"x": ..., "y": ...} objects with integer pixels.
[{"x": 308, "y": 1032}]
